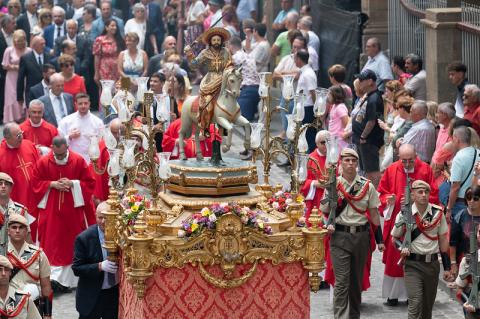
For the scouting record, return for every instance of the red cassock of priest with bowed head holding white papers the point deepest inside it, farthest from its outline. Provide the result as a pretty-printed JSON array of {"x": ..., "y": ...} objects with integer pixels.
[{"x": 60, "y": 222}]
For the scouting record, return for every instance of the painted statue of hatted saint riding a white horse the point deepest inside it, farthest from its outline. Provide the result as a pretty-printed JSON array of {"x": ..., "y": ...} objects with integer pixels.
[{"x": 218, "y": 92}]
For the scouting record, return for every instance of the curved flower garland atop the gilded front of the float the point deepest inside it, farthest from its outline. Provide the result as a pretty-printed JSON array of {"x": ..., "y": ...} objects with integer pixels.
[{"x": 208, "y": 216}]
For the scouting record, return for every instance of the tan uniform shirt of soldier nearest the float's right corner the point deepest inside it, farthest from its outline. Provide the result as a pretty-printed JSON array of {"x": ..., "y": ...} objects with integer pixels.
[{"x": 349, "y": 216}]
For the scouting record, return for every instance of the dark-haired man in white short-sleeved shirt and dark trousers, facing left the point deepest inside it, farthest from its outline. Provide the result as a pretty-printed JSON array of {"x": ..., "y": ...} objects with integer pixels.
[{"x": 307, "y": 84}]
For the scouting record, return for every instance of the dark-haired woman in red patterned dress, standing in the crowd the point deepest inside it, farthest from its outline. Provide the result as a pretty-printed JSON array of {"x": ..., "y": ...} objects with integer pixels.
[{"x": 106, "y": 50}]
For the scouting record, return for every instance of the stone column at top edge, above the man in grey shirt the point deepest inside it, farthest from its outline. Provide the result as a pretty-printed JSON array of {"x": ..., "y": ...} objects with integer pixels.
[{"x": 377, "y": 24}]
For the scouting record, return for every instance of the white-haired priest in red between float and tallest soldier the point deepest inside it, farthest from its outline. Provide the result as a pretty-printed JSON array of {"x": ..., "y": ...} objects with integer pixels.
[{"x": 311, "y": 190}]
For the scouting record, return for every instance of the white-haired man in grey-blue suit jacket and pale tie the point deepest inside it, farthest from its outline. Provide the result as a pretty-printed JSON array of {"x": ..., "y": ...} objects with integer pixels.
[{"x": 57, "y": 104}]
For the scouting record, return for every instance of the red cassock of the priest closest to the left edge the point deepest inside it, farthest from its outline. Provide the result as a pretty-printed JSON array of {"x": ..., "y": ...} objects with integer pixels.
[{"x": 19, "y": 163}]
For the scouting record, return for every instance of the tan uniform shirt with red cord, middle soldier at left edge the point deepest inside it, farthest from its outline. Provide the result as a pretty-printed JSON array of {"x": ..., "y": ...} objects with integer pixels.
[{"x": 32, "y": 264}]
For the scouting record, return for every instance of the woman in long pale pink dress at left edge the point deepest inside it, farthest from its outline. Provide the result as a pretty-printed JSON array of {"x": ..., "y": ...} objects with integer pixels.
[{"x": 13, "y": 111}]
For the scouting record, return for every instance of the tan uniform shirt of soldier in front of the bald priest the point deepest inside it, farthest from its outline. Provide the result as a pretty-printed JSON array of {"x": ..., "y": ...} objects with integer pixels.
[{"x": 422, "y": 244}]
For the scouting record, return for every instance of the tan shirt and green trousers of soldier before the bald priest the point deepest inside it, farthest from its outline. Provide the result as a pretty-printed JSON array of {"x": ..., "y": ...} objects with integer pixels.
[{"x": 421, "y": 266}]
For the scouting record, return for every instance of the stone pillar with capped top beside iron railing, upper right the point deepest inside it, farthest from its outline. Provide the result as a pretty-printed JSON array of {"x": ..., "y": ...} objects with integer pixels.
[{"x": 443, "y": 45}]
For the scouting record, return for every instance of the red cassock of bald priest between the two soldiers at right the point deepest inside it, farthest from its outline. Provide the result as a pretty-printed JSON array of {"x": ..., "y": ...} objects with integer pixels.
[{"x": 393, "y": 182}]
